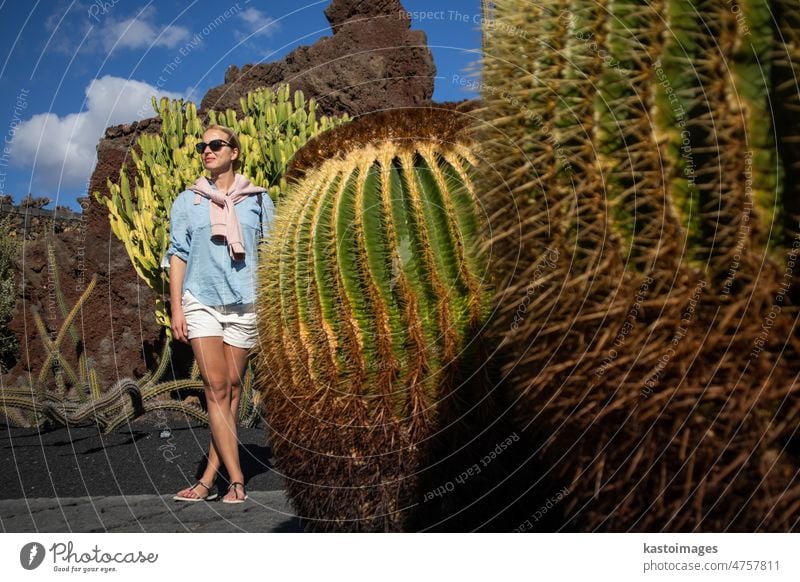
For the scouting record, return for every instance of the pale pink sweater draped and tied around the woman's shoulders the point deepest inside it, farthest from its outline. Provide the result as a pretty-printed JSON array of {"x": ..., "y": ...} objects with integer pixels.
[{"x": 224, "y": 221}]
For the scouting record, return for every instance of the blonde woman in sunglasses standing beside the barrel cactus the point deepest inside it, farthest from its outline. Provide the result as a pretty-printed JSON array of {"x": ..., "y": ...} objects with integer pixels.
[{"x": 214, "y": 231}]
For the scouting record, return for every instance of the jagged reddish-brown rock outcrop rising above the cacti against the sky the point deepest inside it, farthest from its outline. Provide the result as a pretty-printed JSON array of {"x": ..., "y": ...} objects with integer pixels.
[{"x": 372, "y": 62}]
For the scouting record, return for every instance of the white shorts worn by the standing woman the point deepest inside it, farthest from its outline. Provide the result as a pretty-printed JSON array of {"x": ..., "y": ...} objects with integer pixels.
[{"x": 236, "y": 325}]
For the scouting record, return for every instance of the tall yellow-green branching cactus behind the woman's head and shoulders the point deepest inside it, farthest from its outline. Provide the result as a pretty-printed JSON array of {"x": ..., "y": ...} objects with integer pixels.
[{"x": 273, "y": 128}]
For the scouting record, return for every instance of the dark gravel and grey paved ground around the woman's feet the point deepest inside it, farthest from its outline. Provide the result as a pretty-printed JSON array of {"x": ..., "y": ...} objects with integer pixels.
[{"x": 81, "y": 480}]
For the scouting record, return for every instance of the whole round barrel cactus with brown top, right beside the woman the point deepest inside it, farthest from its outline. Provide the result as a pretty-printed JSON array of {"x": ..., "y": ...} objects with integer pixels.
[{"x": 371, "y": 293}]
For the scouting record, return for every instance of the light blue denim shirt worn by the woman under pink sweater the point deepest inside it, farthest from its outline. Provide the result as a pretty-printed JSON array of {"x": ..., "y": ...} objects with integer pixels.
[{"x": 212, "y": 276}]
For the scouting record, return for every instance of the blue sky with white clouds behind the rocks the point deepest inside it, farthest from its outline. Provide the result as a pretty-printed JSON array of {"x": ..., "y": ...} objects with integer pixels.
[{"x": 69, "y": 69}]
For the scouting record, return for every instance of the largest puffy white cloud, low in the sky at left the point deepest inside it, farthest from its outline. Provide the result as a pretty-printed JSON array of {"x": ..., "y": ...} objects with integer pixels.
[{"x": 60, "y": 151}]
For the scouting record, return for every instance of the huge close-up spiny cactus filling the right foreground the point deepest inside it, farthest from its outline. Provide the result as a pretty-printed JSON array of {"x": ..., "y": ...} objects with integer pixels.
[{"x": 641, "y": 183}]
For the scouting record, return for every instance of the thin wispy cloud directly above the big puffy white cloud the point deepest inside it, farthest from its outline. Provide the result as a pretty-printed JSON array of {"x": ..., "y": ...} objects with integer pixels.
[{"x": 141, "y": 32}]
